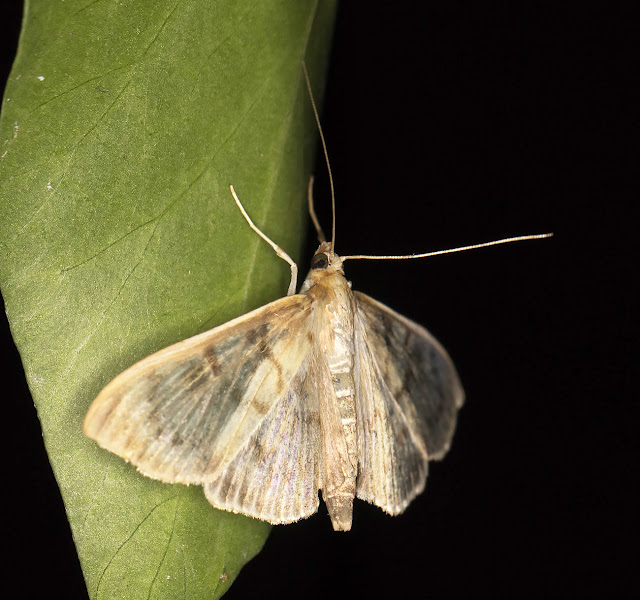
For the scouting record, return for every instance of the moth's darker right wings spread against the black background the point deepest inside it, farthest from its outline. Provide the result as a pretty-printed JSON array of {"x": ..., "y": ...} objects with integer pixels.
[{"x": 408, "y": 396}]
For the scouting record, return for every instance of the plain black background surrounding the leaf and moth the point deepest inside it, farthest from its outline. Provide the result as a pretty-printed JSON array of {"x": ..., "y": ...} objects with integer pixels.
[{"x": 449, "y": 125}]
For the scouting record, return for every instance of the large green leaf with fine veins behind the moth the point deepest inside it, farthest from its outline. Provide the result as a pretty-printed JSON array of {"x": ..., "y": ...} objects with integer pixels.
[{"x": 123, "y": 124}]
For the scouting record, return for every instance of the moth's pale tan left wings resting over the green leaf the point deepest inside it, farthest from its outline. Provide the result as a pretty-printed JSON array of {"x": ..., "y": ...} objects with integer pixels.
[{"x": 226, "y": 398}]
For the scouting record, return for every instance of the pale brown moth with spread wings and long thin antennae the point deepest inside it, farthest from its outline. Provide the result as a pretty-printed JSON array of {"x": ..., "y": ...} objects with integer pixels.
[{"x": 325, "y": 389}]
